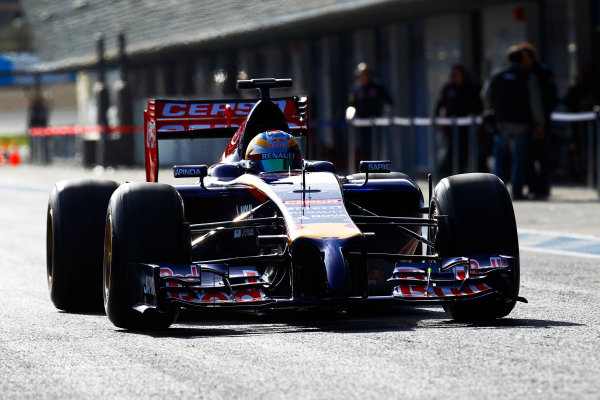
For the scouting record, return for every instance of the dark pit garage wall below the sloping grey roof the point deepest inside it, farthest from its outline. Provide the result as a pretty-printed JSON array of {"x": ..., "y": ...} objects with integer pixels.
[{"x": 412, "y": 58}]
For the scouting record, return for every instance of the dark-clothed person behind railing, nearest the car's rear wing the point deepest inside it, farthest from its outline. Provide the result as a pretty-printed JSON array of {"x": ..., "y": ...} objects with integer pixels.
[{"x": 370, "y": 100}]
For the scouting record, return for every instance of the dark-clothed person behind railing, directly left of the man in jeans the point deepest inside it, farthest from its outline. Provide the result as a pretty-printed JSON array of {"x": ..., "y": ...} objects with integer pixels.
[{"x": 458, "y": 98}]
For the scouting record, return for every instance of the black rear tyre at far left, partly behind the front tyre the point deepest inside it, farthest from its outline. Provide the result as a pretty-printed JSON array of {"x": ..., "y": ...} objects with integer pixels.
[{"x": 74, "y": 243}]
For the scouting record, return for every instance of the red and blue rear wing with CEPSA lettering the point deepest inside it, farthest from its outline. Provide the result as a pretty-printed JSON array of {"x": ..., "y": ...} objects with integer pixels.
[{"x": 205, "y": 119}]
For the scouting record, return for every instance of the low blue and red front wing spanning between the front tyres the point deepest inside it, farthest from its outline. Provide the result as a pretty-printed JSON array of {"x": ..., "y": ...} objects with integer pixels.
[{"x": 449, "y": 280}]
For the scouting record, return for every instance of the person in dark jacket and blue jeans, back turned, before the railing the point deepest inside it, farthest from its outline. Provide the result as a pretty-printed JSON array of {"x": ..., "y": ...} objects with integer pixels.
[{"x": 512, "y": 92}]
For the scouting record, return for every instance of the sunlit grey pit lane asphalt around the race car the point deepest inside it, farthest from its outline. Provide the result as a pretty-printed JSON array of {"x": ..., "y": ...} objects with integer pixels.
[{"x": 547, "y": 349}]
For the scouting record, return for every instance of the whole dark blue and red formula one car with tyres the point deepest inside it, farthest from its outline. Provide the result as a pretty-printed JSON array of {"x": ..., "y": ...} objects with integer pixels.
[{"x": 265, "y": 228}]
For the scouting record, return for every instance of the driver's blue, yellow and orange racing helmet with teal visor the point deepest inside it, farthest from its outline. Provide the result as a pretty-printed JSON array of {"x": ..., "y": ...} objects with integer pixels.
[{"x": 273, "y": 150}]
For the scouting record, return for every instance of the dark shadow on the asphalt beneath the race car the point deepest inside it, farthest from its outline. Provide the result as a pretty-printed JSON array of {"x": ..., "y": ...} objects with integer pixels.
[{"x": 198, "y": 324}]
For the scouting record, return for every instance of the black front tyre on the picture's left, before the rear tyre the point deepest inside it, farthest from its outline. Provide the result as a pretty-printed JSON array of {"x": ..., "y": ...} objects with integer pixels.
[{"x": 144, "y": 223}]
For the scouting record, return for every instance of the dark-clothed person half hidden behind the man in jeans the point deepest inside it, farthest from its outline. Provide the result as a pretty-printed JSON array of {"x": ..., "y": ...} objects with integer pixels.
[{"x": 539, "y": 168}]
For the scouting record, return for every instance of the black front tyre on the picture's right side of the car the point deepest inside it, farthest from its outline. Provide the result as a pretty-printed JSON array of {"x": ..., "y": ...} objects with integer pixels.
[{"x": 475, "y": 216}]
